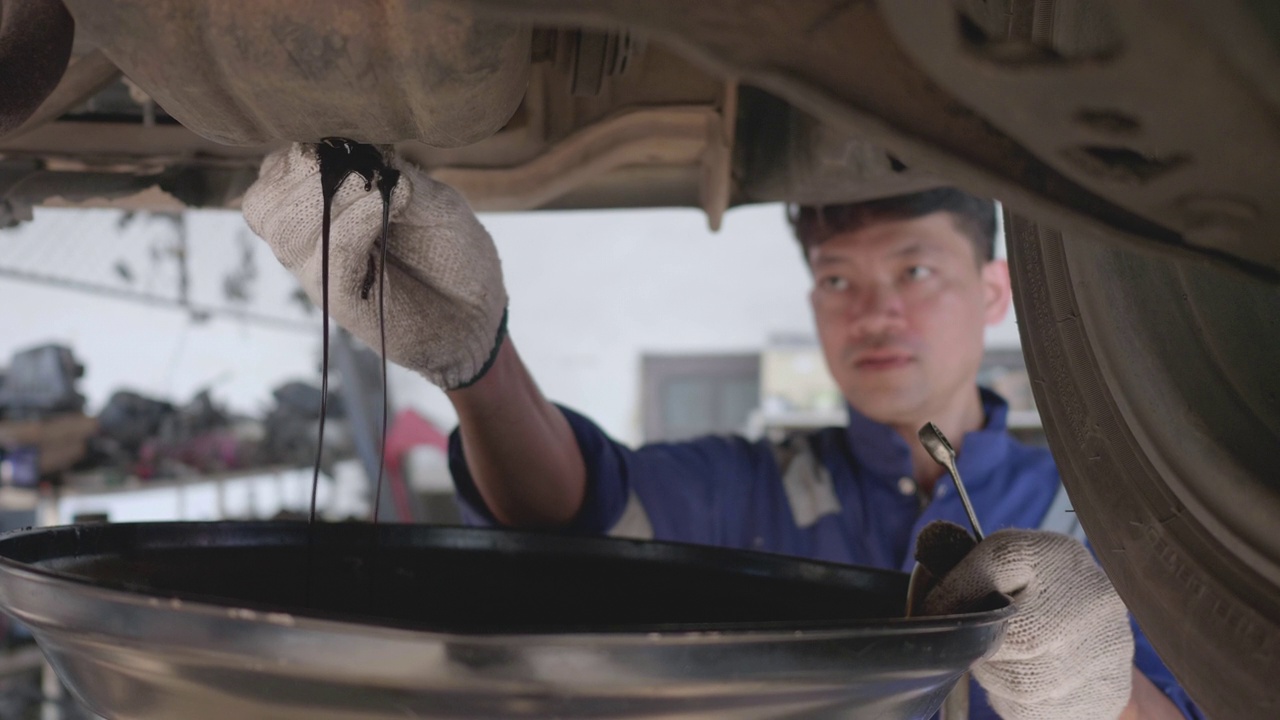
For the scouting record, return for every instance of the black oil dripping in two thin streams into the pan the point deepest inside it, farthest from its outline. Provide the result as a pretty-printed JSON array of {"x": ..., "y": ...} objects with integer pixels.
[{"x": 340, "y": 160}]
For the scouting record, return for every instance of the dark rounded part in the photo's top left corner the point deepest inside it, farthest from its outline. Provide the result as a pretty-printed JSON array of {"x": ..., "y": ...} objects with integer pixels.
[{"x": 35, "y": 45}]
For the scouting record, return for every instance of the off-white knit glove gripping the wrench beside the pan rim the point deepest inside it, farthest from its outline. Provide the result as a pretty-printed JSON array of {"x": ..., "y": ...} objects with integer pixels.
[{"x": 1068, "y": 651}]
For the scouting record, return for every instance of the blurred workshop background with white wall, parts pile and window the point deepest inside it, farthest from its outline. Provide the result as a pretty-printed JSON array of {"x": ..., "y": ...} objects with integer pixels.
[{"x": 168, "y": 368}]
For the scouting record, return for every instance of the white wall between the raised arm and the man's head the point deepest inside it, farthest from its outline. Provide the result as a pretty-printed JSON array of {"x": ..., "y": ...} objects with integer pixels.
[{"x": 592, "y": 291}]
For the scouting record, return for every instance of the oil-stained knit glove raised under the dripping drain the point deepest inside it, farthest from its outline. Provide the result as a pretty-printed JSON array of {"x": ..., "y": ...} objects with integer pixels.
[{"x": 446, "y": 302}]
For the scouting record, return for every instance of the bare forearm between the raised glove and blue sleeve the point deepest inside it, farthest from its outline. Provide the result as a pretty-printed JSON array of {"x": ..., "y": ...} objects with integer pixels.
[{"x": 520, "y": 449}]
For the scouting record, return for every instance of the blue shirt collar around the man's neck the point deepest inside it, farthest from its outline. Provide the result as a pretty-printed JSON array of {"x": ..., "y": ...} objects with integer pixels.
[{"x": 886, "y": 457}]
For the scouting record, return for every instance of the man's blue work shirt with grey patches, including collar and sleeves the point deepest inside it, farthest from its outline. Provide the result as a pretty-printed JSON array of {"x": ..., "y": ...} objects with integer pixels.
[{"x": 866, "y": 511}]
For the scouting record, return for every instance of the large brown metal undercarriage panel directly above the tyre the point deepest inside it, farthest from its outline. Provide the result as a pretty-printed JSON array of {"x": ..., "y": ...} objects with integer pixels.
[{"x": 1158, "y": 121}]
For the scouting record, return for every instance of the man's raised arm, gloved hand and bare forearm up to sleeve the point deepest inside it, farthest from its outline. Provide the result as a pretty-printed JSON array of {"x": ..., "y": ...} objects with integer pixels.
[{"x": 525, "y": 461}]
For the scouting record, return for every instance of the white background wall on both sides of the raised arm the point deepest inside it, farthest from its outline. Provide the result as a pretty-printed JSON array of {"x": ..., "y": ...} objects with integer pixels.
[{"x": 591, "y": 293}]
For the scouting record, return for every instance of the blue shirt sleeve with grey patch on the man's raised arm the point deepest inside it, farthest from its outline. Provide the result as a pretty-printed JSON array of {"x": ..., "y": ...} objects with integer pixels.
[{"x": 689, "y": 491}]
